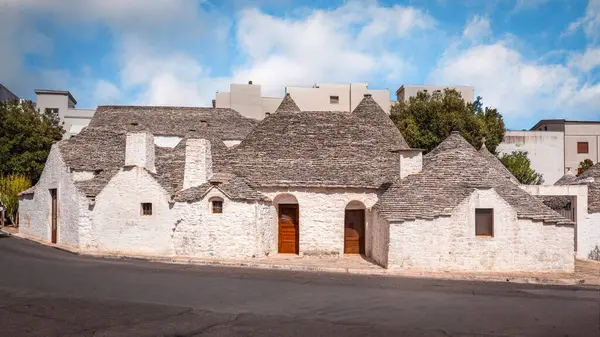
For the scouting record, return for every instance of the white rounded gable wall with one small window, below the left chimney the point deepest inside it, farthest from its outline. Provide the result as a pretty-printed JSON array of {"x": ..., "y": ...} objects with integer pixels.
[{"x": 117, "y": 223}]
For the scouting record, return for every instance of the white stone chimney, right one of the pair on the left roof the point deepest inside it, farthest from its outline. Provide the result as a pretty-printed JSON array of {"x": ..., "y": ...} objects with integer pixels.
[{"x": 198, "y": 163}]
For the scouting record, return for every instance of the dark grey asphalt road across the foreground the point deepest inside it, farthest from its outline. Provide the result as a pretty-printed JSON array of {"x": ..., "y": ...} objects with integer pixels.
[{"x": 48, "y": 292}]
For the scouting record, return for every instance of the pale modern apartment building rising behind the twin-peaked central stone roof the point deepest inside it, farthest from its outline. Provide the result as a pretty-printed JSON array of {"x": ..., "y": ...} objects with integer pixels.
[{"x": 247, "y": 99}]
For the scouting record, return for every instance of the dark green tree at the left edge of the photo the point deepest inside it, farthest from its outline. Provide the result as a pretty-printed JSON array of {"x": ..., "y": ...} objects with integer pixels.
[{"x": 26, "y": 136}]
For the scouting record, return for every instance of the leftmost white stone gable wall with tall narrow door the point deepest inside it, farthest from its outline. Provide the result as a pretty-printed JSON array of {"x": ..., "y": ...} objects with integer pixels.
[{"x": 35, "y": 214}]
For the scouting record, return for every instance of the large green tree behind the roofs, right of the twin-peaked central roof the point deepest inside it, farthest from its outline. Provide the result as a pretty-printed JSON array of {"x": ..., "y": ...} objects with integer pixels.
[{"x": 427, "y": 119}]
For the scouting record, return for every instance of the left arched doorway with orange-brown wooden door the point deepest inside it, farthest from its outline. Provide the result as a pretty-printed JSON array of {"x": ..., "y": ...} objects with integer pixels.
[{"x": 288, "y": 221}]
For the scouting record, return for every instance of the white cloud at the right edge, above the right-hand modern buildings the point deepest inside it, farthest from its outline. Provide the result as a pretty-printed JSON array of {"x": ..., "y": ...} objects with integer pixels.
[{"x": 519, "y": 87}]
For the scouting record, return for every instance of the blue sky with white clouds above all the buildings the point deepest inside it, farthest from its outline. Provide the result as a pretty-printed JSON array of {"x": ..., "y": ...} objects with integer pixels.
[{"x": 531, "y": 59}]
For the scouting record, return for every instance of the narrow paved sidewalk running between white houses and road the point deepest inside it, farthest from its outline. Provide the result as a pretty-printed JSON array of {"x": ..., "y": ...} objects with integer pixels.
[{"x": 586, "y": 272}]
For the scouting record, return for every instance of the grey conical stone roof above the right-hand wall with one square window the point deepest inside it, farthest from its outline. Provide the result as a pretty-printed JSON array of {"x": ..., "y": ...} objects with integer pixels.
[{"x": 451, "y": 173}]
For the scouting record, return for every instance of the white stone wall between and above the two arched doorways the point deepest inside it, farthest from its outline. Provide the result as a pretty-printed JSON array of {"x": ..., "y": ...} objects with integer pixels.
[{"x": 322, "y": 214}]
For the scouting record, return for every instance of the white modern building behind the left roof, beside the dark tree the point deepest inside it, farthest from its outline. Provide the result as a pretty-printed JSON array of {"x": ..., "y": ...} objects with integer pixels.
[{"x": 63, "y": 102}]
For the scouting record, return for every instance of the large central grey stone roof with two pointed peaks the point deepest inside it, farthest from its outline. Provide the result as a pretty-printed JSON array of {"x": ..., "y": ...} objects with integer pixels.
[{"x": 321, "y": 148}]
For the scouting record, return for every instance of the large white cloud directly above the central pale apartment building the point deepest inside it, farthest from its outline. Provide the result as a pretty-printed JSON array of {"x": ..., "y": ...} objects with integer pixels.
[{"x": 349, "y": 43}]
